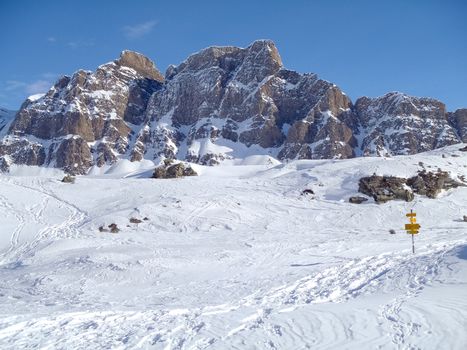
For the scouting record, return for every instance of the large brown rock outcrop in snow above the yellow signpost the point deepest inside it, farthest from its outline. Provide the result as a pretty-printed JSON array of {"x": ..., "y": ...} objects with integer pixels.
[{"x": 386, "y": 188}]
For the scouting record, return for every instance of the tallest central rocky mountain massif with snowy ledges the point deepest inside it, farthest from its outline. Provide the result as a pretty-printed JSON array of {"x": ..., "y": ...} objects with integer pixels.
[{"x": 228, "y": 95}]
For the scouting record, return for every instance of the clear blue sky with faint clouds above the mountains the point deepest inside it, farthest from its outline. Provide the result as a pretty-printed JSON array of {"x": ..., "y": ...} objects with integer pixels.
[{"x": 365, "y": 47}]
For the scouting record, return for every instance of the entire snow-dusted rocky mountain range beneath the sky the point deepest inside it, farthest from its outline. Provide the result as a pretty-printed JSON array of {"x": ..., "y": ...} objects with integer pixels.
[{"x": 221, "y": 103}]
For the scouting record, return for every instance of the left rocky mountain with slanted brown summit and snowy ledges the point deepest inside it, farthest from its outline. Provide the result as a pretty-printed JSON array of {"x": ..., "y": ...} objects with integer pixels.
[{"x": 86, "y": 119}]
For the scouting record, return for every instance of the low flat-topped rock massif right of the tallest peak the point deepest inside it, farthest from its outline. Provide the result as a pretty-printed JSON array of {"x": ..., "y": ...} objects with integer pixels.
[{"x": 399, "y": 124}]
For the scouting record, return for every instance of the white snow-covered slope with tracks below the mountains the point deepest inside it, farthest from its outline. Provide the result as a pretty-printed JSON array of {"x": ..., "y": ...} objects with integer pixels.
[{"x": 236, "y": 258}]
